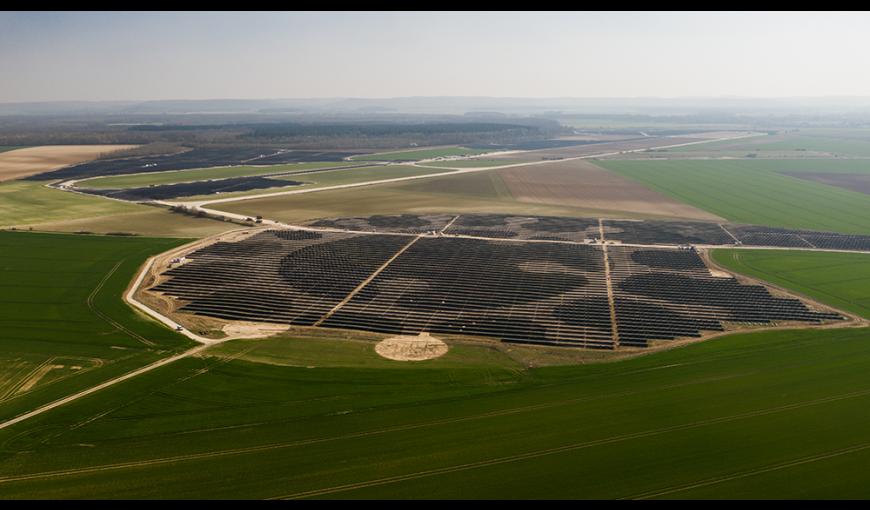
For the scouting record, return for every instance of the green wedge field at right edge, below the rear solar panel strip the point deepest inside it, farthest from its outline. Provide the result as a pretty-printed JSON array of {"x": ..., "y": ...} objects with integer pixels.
[{"x": 841, "y": 280}]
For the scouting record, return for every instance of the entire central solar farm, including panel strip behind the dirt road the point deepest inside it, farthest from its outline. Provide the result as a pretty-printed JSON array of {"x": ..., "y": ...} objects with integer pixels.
[{"x": 579, "y": 282}]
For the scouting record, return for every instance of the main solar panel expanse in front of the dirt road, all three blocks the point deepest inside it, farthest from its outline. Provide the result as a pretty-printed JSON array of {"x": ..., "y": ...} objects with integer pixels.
[{"x": 527, "y": 292}]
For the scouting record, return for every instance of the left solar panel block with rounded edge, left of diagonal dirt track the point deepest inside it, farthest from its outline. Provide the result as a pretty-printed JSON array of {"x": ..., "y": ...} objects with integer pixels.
[{"x": 291, "y": 277}]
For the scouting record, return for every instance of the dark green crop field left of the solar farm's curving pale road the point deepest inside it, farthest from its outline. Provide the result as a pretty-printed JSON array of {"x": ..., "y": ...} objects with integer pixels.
[{"x": 63, "y": 318}]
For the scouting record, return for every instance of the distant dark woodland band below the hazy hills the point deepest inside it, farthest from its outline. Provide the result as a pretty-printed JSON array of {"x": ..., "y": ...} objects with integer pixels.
[{"x": 308, "y": 134}]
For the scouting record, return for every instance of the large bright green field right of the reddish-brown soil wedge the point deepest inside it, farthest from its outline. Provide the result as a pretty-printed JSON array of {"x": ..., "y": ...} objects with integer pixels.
[{"x": 751, "y": 191}]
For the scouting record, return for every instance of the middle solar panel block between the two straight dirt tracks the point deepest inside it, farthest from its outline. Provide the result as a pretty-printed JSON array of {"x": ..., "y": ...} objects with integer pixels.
[{"x": 519, "y": 292}]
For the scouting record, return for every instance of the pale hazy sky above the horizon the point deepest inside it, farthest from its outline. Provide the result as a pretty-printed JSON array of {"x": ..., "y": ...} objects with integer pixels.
[{"x": 138, "y": 56}]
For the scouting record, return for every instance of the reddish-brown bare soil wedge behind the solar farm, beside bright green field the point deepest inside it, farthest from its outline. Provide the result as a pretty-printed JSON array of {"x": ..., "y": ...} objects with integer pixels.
[{"x": 581, "y": 183}]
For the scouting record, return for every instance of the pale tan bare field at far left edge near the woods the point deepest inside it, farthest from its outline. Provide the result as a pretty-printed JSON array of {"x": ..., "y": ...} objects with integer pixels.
[{"x": 34, "y": 160}]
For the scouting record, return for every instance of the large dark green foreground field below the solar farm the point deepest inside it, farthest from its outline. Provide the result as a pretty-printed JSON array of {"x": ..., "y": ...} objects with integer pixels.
[{"x": 741, "y": 416}]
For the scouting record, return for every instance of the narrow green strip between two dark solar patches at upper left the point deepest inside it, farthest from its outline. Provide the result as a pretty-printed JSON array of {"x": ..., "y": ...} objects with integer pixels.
[{"x": 198, "y": 174}]
